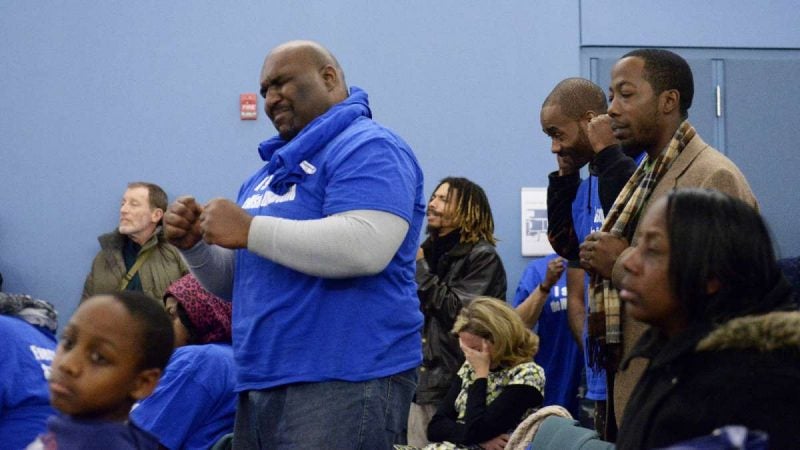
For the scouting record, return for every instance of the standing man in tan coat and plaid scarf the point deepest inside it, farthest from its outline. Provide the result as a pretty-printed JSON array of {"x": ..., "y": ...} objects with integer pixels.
[{"x": 651, "y": 92}]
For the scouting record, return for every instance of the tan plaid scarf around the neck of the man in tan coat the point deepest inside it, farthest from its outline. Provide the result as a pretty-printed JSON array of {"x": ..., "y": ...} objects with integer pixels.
[{"x": 605, "y": 320}]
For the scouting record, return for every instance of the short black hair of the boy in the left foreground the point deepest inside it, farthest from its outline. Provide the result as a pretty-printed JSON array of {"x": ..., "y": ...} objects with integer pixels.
[{"x": 158, "y": 337}]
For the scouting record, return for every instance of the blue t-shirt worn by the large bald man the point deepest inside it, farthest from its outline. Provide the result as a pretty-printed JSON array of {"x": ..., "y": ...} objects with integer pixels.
[{"x": 290, "y": 327}]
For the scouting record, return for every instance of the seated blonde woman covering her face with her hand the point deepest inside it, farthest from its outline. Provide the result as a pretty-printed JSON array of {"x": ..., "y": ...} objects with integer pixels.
[{"x": 497, "y": 386}]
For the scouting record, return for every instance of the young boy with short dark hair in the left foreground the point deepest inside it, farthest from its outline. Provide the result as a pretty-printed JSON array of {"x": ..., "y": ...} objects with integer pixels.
[{"x": 111, "y": 354}]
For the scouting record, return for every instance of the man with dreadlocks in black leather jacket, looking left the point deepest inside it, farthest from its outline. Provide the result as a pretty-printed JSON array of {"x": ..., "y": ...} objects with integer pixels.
[{"x": 457, "y": 263}]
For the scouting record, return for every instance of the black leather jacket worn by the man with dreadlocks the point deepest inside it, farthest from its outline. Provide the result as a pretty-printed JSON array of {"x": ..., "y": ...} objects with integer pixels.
[{"x": 470, "y": 270}]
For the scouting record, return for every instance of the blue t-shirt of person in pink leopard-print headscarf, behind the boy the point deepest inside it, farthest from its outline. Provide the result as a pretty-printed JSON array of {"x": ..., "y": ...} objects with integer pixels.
[{"x": 194, "y": 404}]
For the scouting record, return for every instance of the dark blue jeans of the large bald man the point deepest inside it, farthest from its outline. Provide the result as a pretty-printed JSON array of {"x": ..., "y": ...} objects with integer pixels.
[{"x": 328, "y": 415}]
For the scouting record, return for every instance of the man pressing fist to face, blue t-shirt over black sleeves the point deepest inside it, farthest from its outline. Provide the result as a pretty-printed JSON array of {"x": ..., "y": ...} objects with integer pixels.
[{"x": 573, "y": 116}]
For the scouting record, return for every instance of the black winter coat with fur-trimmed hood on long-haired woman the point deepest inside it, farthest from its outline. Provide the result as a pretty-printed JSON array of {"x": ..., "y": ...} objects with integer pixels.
[{"x": 745, "y": 372}]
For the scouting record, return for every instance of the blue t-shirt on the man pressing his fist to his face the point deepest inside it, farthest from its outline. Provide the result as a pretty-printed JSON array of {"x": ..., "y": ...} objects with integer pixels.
[{"x": 588, "y": 217}]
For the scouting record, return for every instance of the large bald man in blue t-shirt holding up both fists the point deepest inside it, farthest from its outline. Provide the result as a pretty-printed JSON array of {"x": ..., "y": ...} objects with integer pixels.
[{"x": 318, "y": 257}]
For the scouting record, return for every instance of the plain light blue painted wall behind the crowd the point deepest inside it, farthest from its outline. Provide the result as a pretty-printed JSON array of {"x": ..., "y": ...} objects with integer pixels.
[{"x": 96, "y": 94}]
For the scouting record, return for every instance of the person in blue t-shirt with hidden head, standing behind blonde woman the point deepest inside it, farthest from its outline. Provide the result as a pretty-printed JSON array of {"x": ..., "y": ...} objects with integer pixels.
[{"x": 541, "y": 301}]
